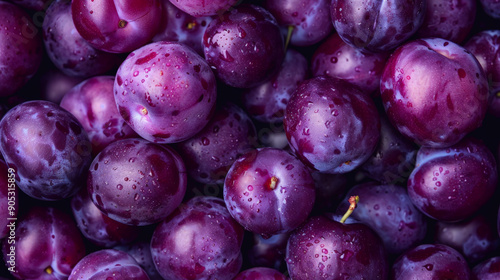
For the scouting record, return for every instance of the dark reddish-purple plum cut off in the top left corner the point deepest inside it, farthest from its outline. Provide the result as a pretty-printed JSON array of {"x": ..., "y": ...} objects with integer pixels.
[{"x": 21, "y": 48}]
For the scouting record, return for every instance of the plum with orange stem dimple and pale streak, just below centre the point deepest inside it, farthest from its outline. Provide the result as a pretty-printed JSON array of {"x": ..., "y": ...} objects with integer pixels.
[{"x": 269, "y": 191}]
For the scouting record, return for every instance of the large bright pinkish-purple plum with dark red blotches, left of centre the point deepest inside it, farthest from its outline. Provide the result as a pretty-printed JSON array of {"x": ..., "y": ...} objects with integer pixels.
[{"x": 165, "y": 91}]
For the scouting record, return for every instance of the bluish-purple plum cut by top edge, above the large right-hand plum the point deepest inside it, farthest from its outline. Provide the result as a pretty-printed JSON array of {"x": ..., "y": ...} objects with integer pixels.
[{"x": 375, "y": 25}]
